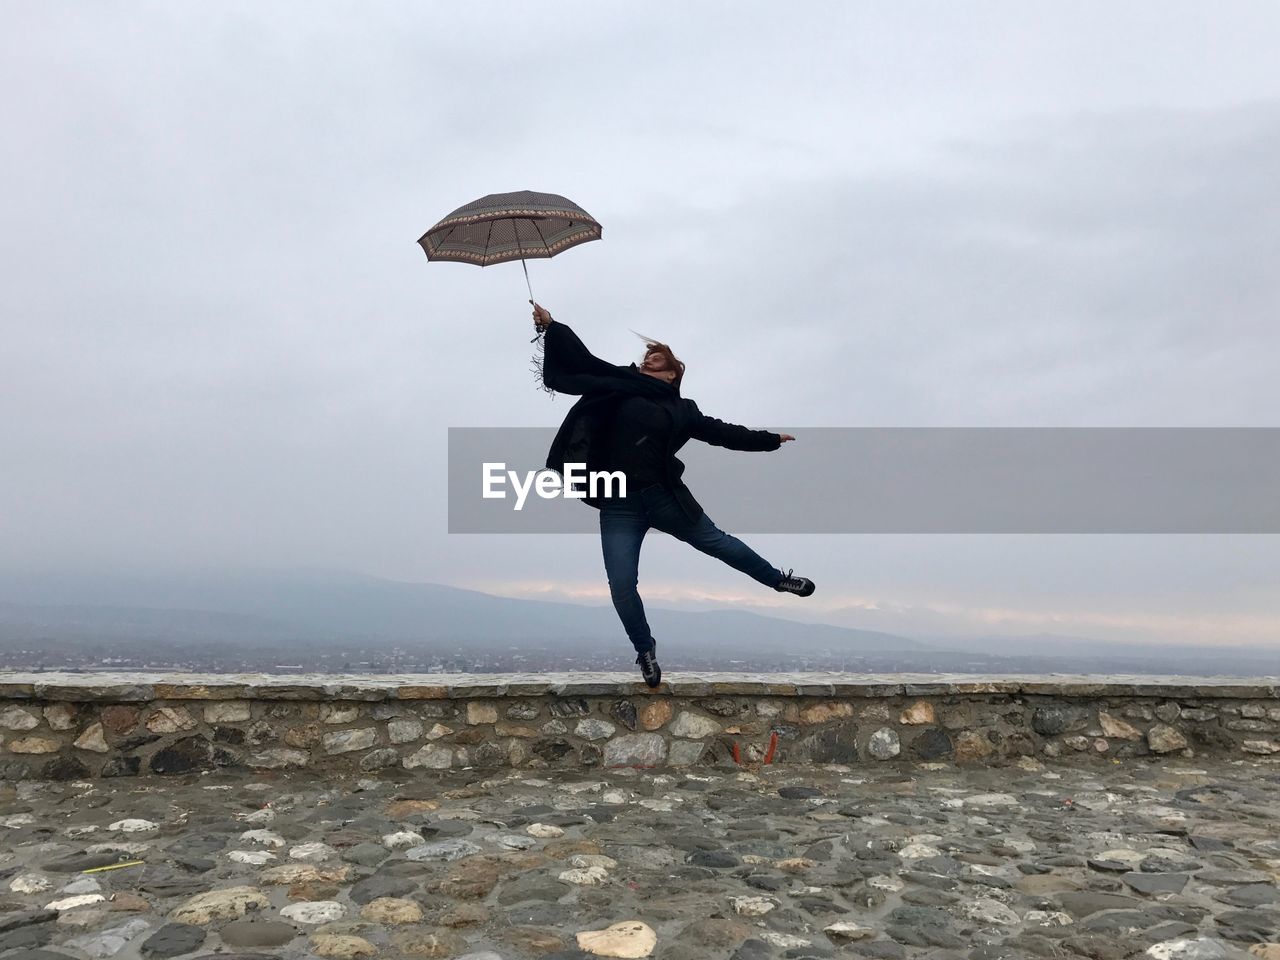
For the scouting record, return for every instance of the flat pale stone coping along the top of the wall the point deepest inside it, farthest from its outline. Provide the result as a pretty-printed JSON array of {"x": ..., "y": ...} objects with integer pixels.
[{"x": 140, "y": 687}]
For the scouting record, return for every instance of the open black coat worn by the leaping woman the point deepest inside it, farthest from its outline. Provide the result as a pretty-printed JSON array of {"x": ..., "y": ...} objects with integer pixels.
[{"x": 570, "y": 368}]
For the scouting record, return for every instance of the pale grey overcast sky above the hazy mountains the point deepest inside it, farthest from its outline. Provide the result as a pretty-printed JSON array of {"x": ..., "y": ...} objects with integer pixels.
[{"x": 223, "y": 348}]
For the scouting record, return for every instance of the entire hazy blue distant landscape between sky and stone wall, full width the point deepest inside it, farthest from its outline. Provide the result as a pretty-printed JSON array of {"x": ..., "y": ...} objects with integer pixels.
[{"x": 362, "y": 615}]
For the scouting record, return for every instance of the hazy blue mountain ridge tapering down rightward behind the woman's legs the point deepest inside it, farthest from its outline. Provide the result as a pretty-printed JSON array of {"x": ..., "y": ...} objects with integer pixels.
[{"x": 349, "y": 607}]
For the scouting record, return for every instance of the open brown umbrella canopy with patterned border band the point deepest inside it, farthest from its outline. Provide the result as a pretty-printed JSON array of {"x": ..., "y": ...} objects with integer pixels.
[{"x": 501, "y": 227}]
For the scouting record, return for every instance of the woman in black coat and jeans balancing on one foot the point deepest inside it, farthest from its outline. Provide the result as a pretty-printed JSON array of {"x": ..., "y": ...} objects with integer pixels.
[{"x": 633, "y": 419}]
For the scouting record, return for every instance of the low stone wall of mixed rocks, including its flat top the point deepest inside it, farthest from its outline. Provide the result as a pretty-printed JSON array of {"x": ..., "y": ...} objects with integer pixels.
[{"x": 61, "y": 726}]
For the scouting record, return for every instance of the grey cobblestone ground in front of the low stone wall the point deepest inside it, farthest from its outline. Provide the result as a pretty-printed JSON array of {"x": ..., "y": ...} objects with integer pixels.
[{"x": 900, "y": 861}]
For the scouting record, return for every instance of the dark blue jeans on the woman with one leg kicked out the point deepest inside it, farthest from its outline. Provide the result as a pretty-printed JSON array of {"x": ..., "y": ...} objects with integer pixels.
[{"x": 623, "y": 529}]
